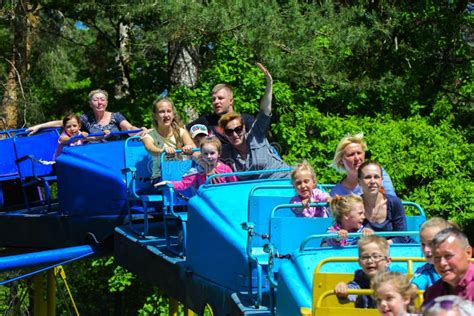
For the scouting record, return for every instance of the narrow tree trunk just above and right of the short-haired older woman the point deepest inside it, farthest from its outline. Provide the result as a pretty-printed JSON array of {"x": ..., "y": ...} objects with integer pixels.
[{"x": 122, "y": 85}]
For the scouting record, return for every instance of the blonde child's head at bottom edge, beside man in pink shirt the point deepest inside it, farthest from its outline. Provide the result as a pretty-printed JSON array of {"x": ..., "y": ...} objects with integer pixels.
[{"x": 394, "y": 294}]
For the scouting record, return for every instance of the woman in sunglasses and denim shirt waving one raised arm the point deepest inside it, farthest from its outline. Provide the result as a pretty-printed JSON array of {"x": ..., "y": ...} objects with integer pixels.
[{"x": 250, "y": 150}]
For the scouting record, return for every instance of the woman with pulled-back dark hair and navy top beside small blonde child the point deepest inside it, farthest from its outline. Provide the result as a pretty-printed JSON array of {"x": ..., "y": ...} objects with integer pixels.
[{"x": 383, "y": 212}]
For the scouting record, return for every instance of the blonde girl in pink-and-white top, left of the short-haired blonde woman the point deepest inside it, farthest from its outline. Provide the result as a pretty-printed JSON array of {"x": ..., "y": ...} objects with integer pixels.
[{"x": 303, "y": 178}]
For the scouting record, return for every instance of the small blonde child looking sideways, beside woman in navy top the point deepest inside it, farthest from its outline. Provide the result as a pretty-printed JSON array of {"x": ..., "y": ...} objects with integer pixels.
[{"x": 348, "y": 213}]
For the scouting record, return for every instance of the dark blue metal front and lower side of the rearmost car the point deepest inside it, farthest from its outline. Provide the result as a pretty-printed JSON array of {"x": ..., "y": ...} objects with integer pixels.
[{"x": 92, "y": 199}]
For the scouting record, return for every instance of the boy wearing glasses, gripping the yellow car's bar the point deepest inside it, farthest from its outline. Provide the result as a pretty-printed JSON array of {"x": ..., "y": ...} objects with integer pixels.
[{"x": 373, "y": 259}]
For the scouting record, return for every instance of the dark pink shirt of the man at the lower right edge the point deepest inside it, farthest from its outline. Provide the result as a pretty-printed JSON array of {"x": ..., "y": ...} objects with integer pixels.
[{"x": 464, "y": 289}]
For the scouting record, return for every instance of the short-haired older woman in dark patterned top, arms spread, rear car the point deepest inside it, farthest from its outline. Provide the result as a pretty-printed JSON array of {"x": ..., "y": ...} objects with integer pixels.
[{"x": 97, "y": 121}]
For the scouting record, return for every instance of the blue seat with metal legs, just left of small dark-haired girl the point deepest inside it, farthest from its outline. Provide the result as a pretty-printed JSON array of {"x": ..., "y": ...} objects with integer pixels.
[{"x": 34, "y": 160}]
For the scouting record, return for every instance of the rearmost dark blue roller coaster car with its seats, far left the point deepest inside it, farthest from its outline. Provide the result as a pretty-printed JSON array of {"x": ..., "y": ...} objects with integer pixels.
[{"x": 91, "y": 192}]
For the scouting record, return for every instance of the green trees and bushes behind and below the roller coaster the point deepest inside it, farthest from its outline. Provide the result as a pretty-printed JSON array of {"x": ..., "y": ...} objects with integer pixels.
[{"x": 398, "y": 71}]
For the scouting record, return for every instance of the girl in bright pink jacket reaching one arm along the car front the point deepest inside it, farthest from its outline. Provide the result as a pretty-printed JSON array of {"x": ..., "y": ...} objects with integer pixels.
[{"x": 210, "y": 153}]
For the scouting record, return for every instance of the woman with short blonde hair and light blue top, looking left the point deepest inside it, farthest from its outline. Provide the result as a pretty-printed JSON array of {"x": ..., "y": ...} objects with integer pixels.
[{"x": 350, "y": 154}]
